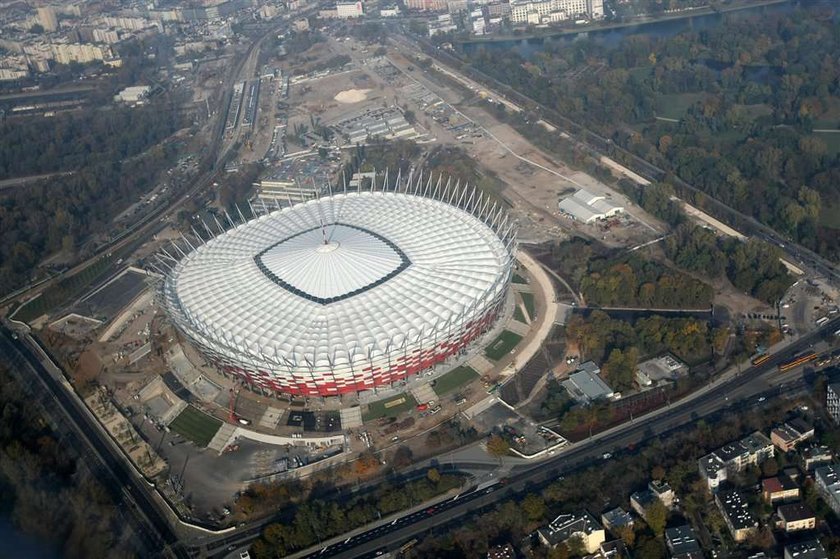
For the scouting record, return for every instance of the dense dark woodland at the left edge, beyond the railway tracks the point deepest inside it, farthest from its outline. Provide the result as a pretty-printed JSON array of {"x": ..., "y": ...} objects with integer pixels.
[{"x": 108, "y": 152}]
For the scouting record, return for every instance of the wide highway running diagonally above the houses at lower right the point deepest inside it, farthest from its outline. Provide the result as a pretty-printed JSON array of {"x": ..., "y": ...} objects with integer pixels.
[{"x": 740, "y": 389}]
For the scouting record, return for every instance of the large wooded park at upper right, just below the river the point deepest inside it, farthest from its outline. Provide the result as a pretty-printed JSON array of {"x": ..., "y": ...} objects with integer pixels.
[{"x": 760, "y": 85}]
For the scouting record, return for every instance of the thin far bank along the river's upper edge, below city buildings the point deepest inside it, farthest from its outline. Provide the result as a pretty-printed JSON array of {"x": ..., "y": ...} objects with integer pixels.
[{"x": 640, "y": 21}]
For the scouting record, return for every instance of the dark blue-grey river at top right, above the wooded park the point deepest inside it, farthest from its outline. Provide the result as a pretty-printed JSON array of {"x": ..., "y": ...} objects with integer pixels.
[{"x": 659, "y": 29}]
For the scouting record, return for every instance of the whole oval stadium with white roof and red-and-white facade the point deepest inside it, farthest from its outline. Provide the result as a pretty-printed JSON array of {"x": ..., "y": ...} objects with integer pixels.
[{"x": 345, "y": 292}]
